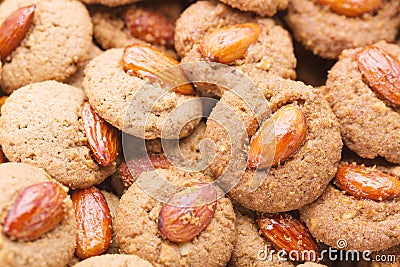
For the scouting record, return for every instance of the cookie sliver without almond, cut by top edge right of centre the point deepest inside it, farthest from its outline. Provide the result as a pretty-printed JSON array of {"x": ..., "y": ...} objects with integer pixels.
[{"x": 261, "y": 7}]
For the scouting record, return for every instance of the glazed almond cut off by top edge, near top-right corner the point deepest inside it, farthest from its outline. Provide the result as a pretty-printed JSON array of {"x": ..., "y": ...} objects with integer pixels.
[{"x": 352, "y": 8}]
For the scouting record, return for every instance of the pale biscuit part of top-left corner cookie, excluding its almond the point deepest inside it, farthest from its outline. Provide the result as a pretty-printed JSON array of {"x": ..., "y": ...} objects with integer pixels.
[{"x": 57, "y": 43}]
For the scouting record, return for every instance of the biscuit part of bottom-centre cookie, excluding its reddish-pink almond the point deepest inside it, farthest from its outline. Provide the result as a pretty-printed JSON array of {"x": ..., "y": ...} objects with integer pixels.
[{"x": 137, "y": 231}]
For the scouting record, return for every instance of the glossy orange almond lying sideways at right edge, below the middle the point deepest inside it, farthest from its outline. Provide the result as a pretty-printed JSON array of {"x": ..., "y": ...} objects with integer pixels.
[{"x": 363, "y": 182}]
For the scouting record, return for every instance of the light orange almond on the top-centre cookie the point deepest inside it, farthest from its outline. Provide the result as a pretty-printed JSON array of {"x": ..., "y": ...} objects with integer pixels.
[{"x": 230, "y": 43}]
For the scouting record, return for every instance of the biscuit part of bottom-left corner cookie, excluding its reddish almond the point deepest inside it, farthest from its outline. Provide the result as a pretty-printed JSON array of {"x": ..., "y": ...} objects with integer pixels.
[{"x": 54, "y": 248}]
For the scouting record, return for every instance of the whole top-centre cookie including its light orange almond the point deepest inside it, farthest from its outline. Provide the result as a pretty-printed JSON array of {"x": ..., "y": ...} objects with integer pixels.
[{"x": 264, "y": 46}]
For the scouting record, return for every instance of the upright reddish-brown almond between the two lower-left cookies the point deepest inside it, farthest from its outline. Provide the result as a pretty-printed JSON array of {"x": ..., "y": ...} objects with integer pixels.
[{"x": 94, "y": 222}]
